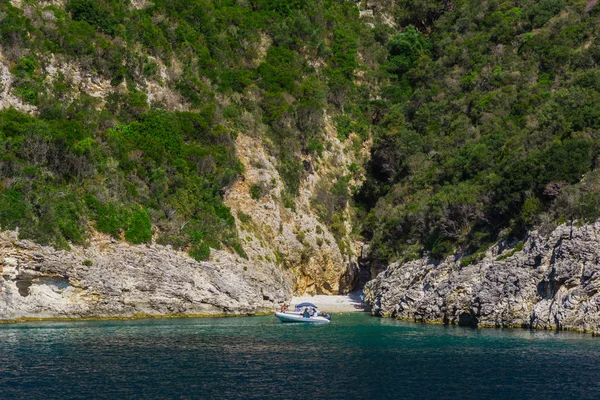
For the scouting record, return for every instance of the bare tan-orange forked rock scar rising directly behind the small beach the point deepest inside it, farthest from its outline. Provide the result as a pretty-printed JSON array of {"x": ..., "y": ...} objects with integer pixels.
[{"x": 292, "y": 239}]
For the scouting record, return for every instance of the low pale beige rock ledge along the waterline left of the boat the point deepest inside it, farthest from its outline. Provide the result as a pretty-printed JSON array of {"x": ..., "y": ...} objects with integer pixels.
[{"x": 115, "y": 279}]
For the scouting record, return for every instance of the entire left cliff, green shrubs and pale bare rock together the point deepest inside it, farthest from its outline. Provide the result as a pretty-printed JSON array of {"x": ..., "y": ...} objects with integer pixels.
[{"x": 245, "y": 190}]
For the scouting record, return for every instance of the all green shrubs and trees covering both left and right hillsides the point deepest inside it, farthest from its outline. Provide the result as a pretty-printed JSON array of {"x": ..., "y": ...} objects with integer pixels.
[{"x": 484, "y": 118}]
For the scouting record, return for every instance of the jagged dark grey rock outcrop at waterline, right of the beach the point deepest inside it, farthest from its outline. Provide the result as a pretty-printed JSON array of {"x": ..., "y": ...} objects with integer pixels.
[{"x": 551, "y": 283}]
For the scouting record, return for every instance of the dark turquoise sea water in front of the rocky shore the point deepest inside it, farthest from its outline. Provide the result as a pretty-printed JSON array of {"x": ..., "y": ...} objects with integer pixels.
[{"x": 355, "y": 357}]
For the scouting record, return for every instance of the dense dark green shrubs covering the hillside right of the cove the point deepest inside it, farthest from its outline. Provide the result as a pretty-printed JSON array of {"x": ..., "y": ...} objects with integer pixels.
[{"x": 493, "y": 111}]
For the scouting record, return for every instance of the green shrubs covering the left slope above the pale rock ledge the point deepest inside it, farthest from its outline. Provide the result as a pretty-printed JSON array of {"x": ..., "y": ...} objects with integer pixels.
[{"x": 135, "y": 169}]
